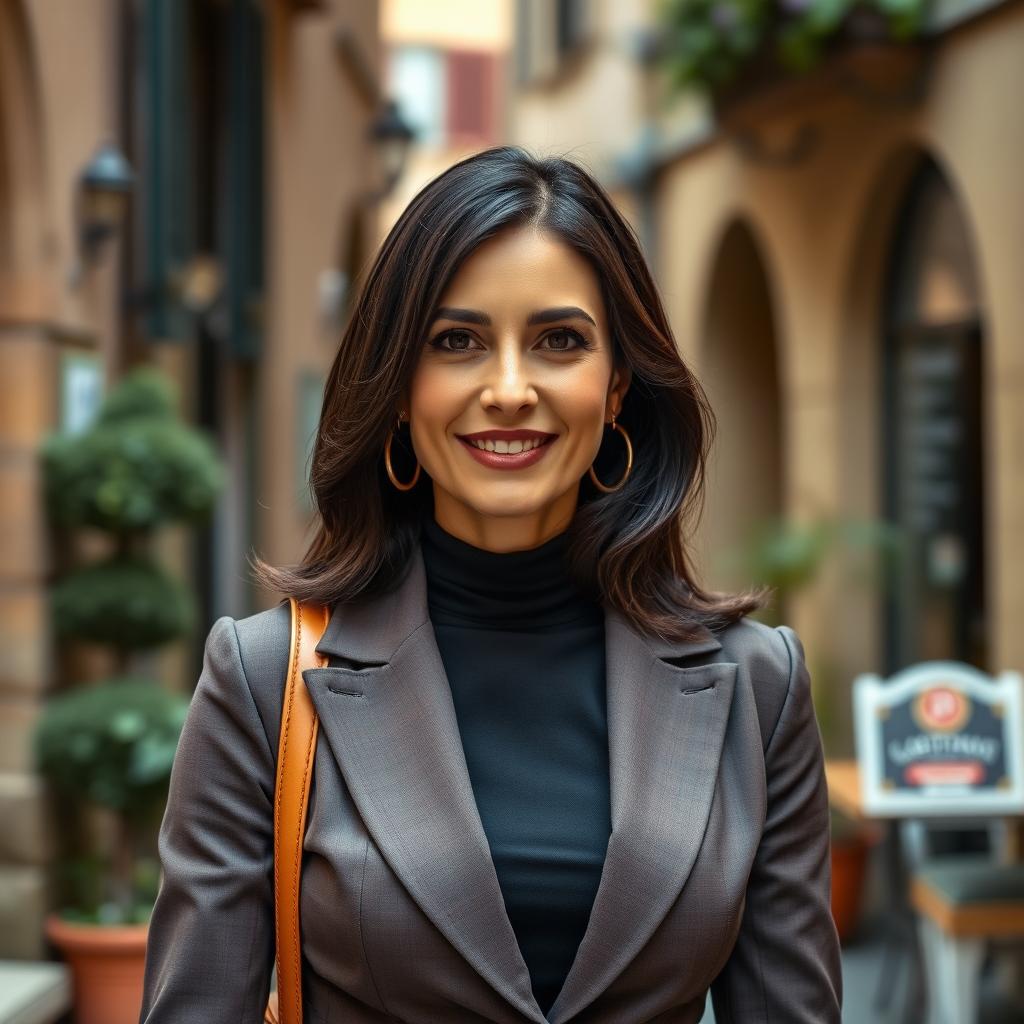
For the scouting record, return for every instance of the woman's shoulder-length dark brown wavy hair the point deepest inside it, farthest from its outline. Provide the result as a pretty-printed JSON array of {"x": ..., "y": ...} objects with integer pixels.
[{"x": 628, "y": 547}]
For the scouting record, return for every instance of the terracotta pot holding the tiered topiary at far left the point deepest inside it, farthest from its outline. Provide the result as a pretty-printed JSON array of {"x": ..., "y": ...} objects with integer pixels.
[{"x": 107, "y": 966}]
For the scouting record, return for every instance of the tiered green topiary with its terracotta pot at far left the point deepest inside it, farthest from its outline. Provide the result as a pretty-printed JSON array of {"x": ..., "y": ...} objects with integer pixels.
[{"x": 107, "y": 746}]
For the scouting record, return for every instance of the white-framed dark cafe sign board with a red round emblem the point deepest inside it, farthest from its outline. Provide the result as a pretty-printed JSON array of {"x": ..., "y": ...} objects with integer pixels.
[{"x": 941, "y": 739}]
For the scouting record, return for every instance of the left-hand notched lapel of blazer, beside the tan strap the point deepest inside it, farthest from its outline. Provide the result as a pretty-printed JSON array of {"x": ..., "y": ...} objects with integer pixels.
[{"x": 389, "y": 717}]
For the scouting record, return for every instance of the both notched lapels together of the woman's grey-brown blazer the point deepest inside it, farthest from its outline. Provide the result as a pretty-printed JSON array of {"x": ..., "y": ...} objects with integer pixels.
[{"x": 386, "y": 709}]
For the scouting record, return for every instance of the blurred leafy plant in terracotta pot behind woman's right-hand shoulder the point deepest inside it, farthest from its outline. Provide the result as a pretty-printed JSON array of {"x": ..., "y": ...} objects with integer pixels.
[{"x": 788, "y": 558}]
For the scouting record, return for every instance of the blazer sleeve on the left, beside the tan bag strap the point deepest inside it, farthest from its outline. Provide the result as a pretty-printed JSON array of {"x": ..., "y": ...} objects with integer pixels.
[{"x": 211, "y": 942}]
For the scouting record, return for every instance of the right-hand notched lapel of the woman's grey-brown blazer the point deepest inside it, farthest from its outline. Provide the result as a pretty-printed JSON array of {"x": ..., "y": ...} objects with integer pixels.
[{"x": 666, "y": 728}]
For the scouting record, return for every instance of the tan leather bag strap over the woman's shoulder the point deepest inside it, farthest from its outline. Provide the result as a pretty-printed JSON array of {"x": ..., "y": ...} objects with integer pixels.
[{"x": 296, "y": 746}]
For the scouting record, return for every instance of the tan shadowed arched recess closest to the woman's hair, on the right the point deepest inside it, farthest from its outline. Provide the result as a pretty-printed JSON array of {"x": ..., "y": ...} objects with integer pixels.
[{"x": 739, "y": 369}]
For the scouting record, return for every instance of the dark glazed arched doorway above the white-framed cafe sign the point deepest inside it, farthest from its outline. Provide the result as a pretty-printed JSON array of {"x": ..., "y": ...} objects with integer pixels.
[{"x": 933, "y": 445}]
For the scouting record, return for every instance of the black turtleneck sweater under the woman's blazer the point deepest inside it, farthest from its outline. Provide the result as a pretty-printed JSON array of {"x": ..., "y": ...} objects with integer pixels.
[{"x": 524, "y": 650}]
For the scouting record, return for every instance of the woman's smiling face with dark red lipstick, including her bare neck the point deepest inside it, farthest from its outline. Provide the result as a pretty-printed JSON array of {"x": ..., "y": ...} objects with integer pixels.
[{"x": 514, "y": 387}]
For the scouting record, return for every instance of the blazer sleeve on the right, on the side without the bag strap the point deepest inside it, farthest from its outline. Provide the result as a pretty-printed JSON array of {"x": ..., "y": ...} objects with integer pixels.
[{"x": 786, "y": 963}]
